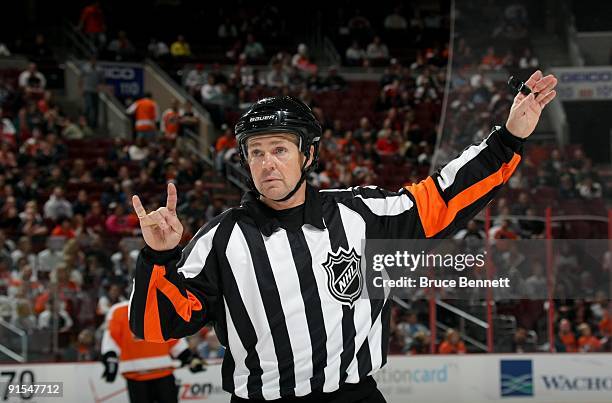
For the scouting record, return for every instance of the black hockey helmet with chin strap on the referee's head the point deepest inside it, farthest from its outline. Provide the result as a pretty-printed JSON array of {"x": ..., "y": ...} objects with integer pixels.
[{"x": 281, "y": 114}]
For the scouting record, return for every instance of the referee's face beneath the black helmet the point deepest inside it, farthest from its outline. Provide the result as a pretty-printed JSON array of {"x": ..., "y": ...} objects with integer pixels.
[{"x": 275, "y": 162}]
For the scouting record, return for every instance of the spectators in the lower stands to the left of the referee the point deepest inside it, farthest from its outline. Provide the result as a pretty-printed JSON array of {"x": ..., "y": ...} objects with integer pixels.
[{"x": 68, "y": 236}]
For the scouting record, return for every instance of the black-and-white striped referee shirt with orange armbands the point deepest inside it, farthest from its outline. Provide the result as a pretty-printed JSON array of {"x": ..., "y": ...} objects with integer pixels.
[{"x": 288, "y": 304}]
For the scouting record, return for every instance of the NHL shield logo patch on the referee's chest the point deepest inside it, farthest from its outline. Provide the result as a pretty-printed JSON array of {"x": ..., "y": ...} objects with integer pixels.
[{"x": 344, "y": 278}]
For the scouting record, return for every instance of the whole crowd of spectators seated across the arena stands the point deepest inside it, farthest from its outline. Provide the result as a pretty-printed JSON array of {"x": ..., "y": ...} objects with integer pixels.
[{"x": 55, "y": 259}]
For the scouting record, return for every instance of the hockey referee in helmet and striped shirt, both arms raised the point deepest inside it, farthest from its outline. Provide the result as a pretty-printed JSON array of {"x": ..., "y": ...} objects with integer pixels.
[{"x": 262, "y": 273}]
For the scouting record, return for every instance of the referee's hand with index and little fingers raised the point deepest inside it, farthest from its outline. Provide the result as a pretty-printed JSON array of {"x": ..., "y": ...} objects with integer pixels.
[{"x": 161, "y": 228}]
